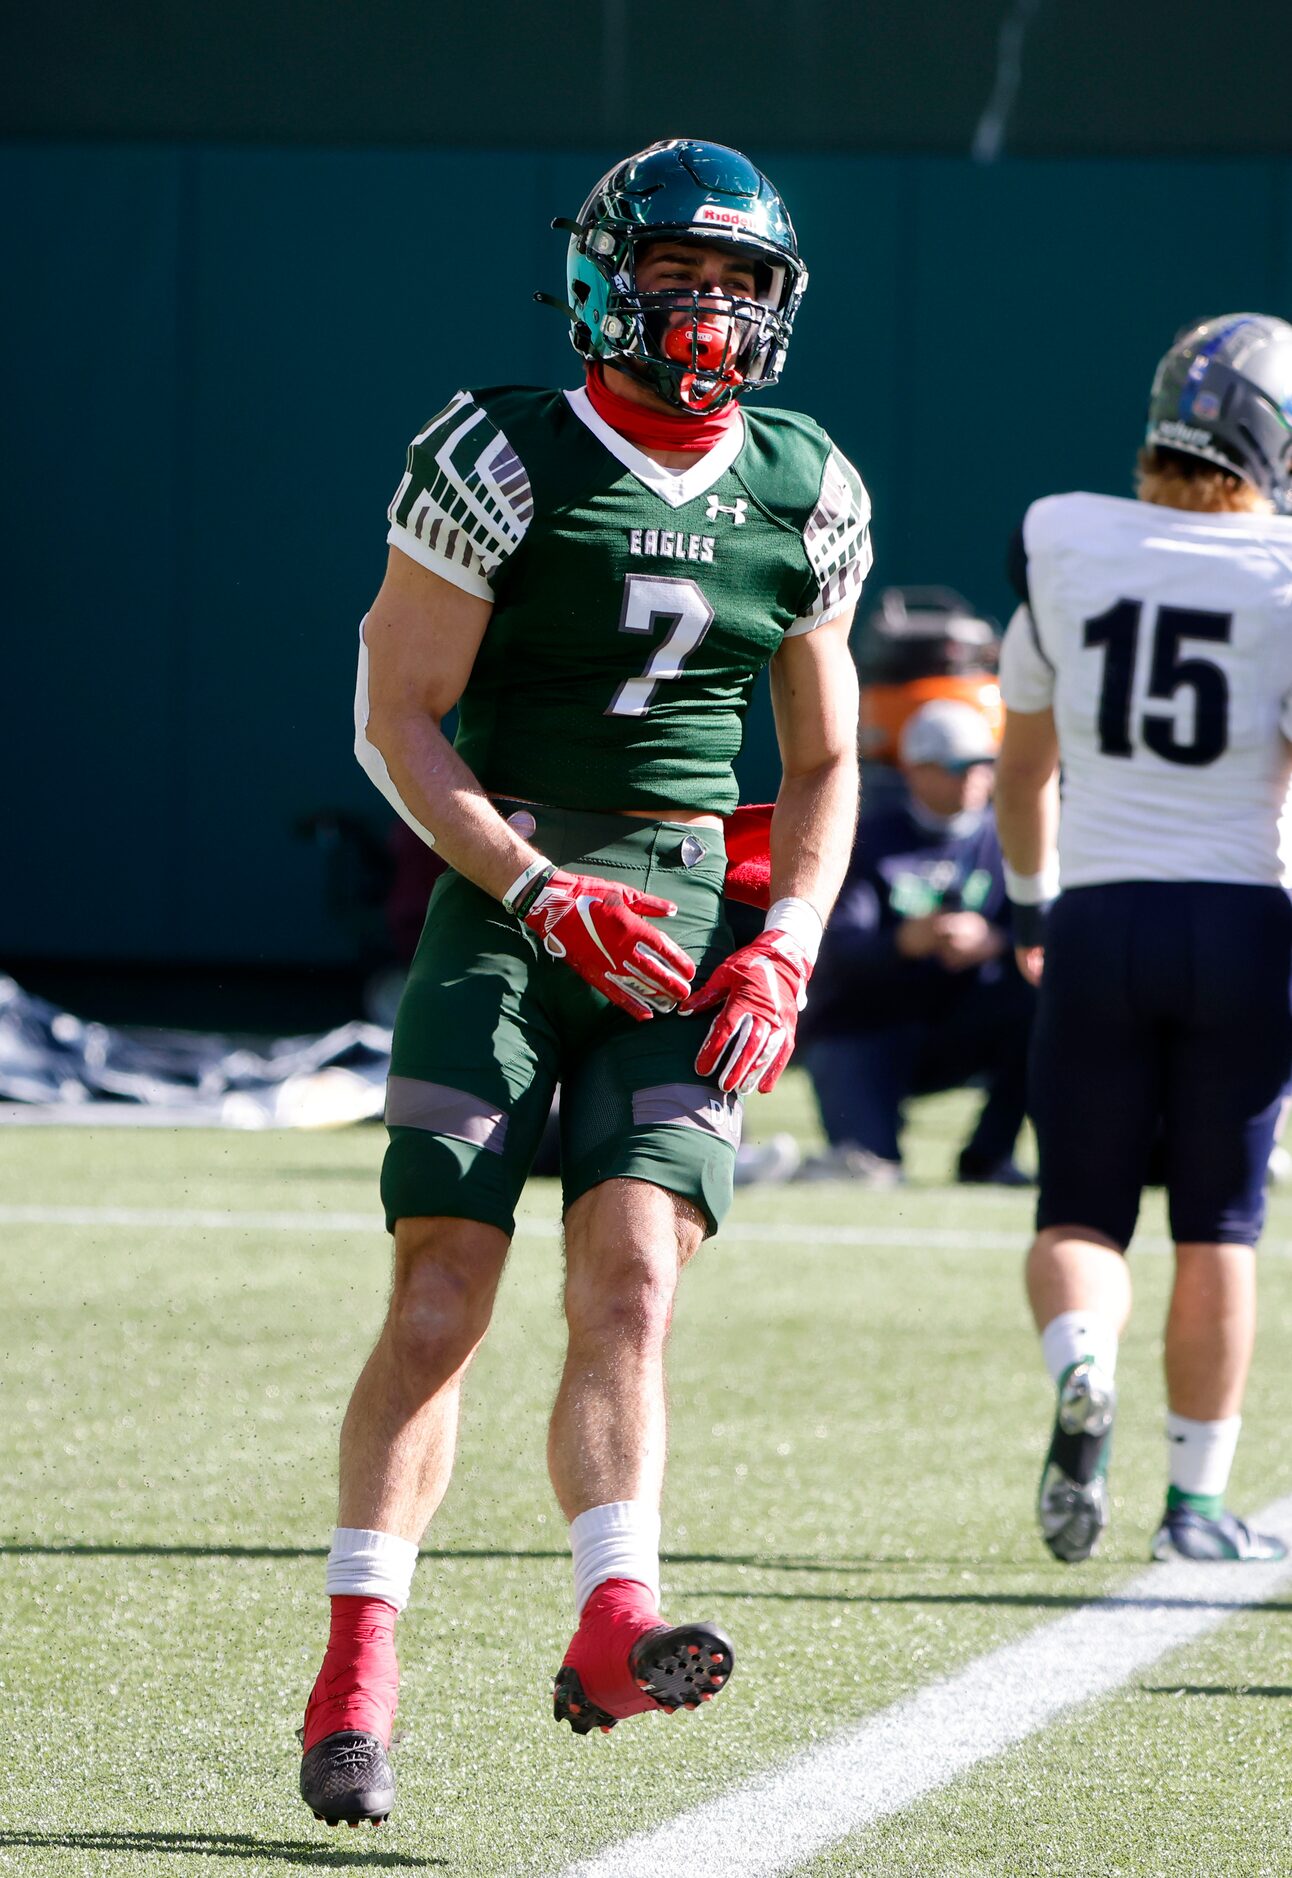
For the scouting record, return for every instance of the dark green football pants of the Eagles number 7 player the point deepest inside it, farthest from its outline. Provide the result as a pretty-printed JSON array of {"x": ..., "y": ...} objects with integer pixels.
[{"x": 489, "y": 1026}]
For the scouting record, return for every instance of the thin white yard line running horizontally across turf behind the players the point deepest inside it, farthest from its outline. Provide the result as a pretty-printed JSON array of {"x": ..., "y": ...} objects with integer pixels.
[{"x": 223, "y": 1220}]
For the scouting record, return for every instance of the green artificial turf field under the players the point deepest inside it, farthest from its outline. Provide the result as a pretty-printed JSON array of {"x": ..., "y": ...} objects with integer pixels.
[{"x": 855, "y": 1445}]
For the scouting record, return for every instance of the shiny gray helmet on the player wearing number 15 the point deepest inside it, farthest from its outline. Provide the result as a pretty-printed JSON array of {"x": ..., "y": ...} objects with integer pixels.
[{"x": 1223, "y": 393}]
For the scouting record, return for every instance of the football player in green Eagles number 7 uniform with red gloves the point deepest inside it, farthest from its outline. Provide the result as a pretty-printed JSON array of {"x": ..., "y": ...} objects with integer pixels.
[{"x": 594, "y": 579}]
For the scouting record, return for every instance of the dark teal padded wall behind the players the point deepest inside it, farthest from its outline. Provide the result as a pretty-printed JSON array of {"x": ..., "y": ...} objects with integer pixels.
[{"x": 219, "y": 360}]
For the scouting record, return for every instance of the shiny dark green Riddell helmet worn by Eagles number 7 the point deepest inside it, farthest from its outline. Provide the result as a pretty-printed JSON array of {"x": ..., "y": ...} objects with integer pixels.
[{"x": 698, "y": 192}]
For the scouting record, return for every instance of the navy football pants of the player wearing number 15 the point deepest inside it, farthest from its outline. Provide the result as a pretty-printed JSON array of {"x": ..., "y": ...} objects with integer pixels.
[{"x": 1163, "y": 1039}]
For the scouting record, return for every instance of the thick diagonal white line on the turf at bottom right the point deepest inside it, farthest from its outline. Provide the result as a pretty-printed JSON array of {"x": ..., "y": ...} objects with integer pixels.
[{"x": 867, "y": 1774}]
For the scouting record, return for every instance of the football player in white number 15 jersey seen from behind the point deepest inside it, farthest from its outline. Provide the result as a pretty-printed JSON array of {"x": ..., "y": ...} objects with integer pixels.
[{"x": 1152, "y": 658}]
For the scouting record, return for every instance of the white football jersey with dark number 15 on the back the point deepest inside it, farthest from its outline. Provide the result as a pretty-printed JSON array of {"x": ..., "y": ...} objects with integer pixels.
[{"x": 1163, "y": 643}]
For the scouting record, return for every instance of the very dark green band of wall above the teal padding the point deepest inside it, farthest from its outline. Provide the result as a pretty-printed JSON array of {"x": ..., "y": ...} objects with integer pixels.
[{"x": 1100, "y": 78}]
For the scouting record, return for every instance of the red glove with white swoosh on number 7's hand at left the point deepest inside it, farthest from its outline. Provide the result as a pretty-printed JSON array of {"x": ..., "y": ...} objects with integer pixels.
[{"x": 604, "y": 932}]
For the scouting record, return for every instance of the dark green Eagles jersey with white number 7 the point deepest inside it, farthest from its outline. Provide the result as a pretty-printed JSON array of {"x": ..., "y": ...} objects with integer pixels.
[{"x": 634, "y": 606}]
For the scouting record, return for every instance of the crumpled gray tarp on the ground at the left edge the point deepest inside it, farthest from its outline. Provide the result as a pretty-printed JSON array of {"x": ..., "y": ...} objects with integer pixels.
[{"x": 55, "y": 1068}]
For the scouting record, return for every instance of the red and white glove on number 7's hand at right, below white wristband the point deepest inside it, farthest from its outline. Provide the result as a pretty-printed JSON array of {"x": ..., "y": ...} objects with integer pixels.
[{"x": 752, "y": 1039}]
